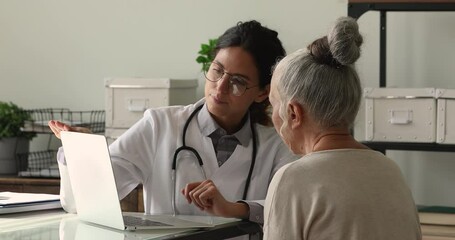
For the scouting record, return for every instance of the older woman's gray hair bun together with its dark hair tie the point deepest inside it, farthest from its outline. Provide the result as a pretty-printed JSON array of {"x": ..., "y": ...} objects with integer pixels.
[{"x": 340, "y": 47}]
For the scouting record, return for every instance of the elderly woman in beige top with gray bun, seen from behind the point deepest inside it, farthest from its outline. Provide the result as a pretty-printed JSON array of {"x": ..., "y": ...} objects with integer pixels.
[{"x": 339, "y": 189}]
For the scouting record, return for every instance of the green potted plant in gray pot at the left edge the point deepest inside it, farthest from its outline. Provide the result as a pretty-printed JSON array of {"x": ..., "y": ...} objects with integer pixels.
[{"x": 13, "y": 140}]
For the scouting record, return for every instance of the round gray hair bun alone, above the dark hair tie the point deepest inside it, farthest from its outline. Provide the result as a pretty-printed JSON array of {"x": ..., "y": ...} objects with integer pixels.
[{"x": 345, "y": 40}]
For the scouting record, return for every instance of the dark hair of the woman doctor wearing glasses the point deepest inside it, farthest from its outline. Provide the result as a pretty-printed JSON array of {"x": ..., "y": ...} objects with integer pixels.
[{"x": 265, "y": 48}]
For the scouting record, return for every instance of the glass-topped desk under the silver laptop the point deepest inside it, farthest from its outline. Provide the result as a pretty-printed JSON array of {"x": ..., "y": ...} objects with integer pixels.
[{"x": 57, "y": 224}]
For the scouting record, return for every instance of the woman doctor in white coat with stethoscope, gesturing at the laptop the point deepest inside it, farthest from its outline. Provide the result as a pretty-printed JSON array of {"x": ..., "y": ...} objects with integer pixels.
[{"x": 222, "y": 148}]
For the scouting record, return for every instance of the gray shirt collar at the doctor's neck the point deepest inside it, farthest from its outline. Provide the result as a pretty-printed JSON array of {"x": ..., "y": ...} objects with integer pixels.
[{"x": 207, "y": 125}]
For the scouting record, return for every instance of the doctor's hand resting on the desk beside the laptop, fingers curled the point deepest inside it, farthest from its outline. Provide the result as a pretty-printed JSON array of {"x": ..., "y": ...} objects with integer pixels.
[{"x": 205, "y": 196}]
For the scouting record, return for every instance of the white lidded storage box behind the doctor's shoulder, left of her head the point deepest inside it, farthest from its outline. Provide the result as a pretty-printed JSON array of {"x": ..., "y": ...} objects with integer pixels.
[{"x": 128, "y": 98}]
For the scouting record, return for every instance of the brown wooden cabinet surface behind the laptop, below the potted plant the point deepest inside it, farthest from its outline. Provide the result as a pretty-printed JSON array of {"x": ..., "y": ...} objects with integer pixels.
[{"x": 131, "y": 203}]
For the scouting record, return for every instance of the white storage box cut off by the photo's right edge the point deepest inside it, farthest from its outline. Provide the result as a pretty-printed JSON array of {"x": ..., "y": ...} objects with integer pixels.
[{"x": 445, "y": 130}]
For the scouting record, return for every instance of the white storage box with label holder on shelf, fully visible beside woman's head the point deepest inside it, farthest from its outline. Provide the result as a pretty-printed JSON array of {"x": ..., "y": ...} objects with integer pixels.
[{"x": 400, "y": 114}]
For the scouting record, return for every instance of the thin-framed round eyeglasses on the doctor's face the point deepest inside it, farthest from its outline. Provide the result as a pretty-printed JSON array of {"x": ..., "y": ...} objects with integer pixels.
[{"x": 237, "y": 83}]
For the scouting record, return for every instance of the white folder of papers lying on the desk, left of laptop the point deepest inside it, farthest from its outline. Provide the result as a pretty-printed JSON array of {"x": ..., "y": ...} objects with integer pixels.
[{"x": 12, "y": 202}]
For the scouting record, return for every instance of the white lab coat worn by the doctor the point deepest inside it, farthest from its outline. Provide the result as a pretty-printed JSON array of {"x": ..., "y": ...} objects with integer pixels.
[{"x": 144, "y": 154}]
